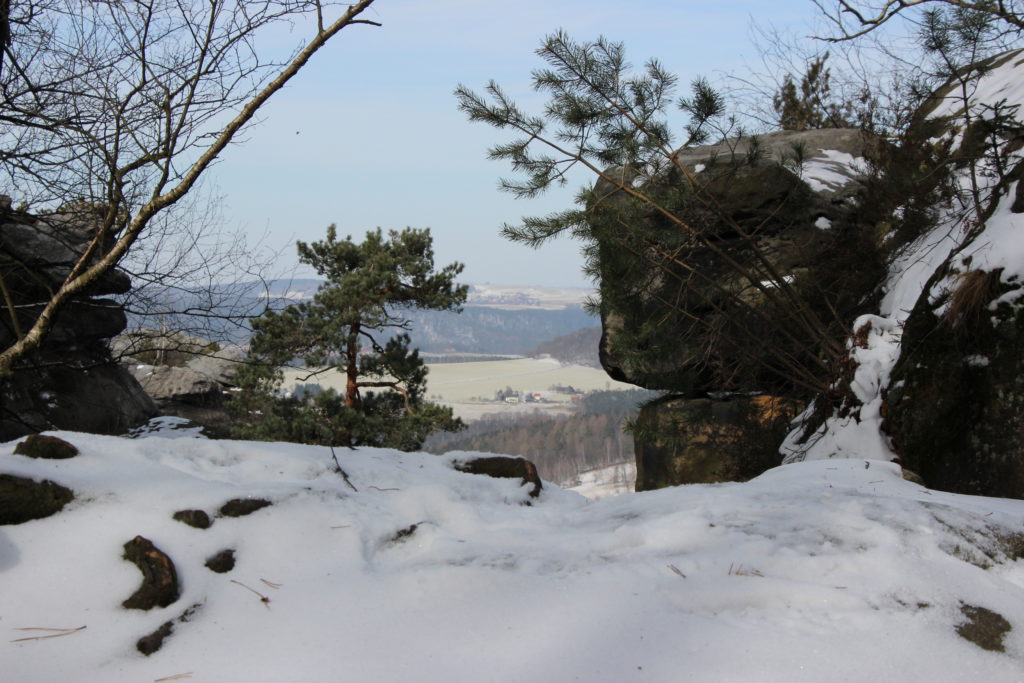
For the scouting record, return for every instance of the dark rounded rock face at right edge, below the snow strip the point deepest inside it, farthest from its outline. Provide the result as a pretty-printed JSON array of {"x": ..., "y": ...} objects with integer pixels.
[{"x": 956, "y": 404}]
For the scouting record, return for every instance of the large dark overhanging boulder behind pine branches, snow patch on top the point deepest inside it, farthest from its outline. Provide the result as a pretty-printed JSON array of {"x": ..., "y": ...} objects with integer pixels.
[{"x": 674, "y": 326}]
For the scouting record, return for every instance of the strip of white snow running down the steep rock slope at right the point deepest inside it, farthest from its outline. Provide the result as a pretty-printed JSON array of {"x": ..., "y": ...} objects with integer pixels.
[{"x": 998, "y": 245}]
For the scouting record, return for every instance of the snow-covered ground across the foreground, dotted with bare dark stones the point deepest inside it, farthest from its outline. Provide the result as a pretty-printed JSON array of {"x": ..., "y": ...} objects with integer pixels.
[{"x": 827, "y": 571}]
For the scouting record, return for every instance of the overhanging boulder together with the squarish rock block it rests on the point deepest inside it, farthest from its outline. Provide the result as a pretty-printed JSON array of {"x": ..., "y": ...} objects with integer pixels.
[{"x": 699, "y": 330}]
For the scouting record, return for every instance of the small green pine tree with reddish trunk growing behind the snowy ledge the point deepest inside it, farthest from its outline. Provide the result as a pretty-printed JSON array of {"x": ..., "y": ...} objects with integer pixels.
[{"x": 349, "y": 326}]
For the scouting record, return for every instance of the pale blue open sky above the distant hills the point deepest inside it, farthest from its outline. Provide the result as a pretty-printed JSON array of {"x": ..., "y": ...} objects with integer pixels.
[{"x": 369, "y": 136}]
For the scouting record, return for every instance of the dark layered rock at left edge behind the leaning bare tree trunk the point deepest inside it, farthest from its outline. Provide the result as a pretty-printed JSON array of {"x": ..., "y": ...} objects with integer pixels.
[{"x": 70, "y": 382}]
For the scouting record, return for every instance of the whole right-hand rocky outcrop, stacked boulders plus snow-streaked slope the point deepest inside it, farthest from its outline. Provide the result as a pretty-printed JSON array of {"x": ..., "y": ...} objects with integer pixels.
[{"x": 931, "y": 373}]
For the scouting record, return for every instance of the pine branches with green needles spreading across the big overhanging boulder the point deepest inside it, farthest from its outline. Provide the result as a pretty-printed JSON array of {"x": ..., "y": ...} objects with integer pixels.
[{"x": 660, "y": 242}]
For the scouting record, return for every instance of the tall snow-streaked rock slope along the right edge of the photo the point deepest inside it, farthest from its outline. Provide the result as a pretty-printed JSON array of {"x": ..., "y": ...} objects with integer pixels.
[{"x": 937, "y": 374}]
